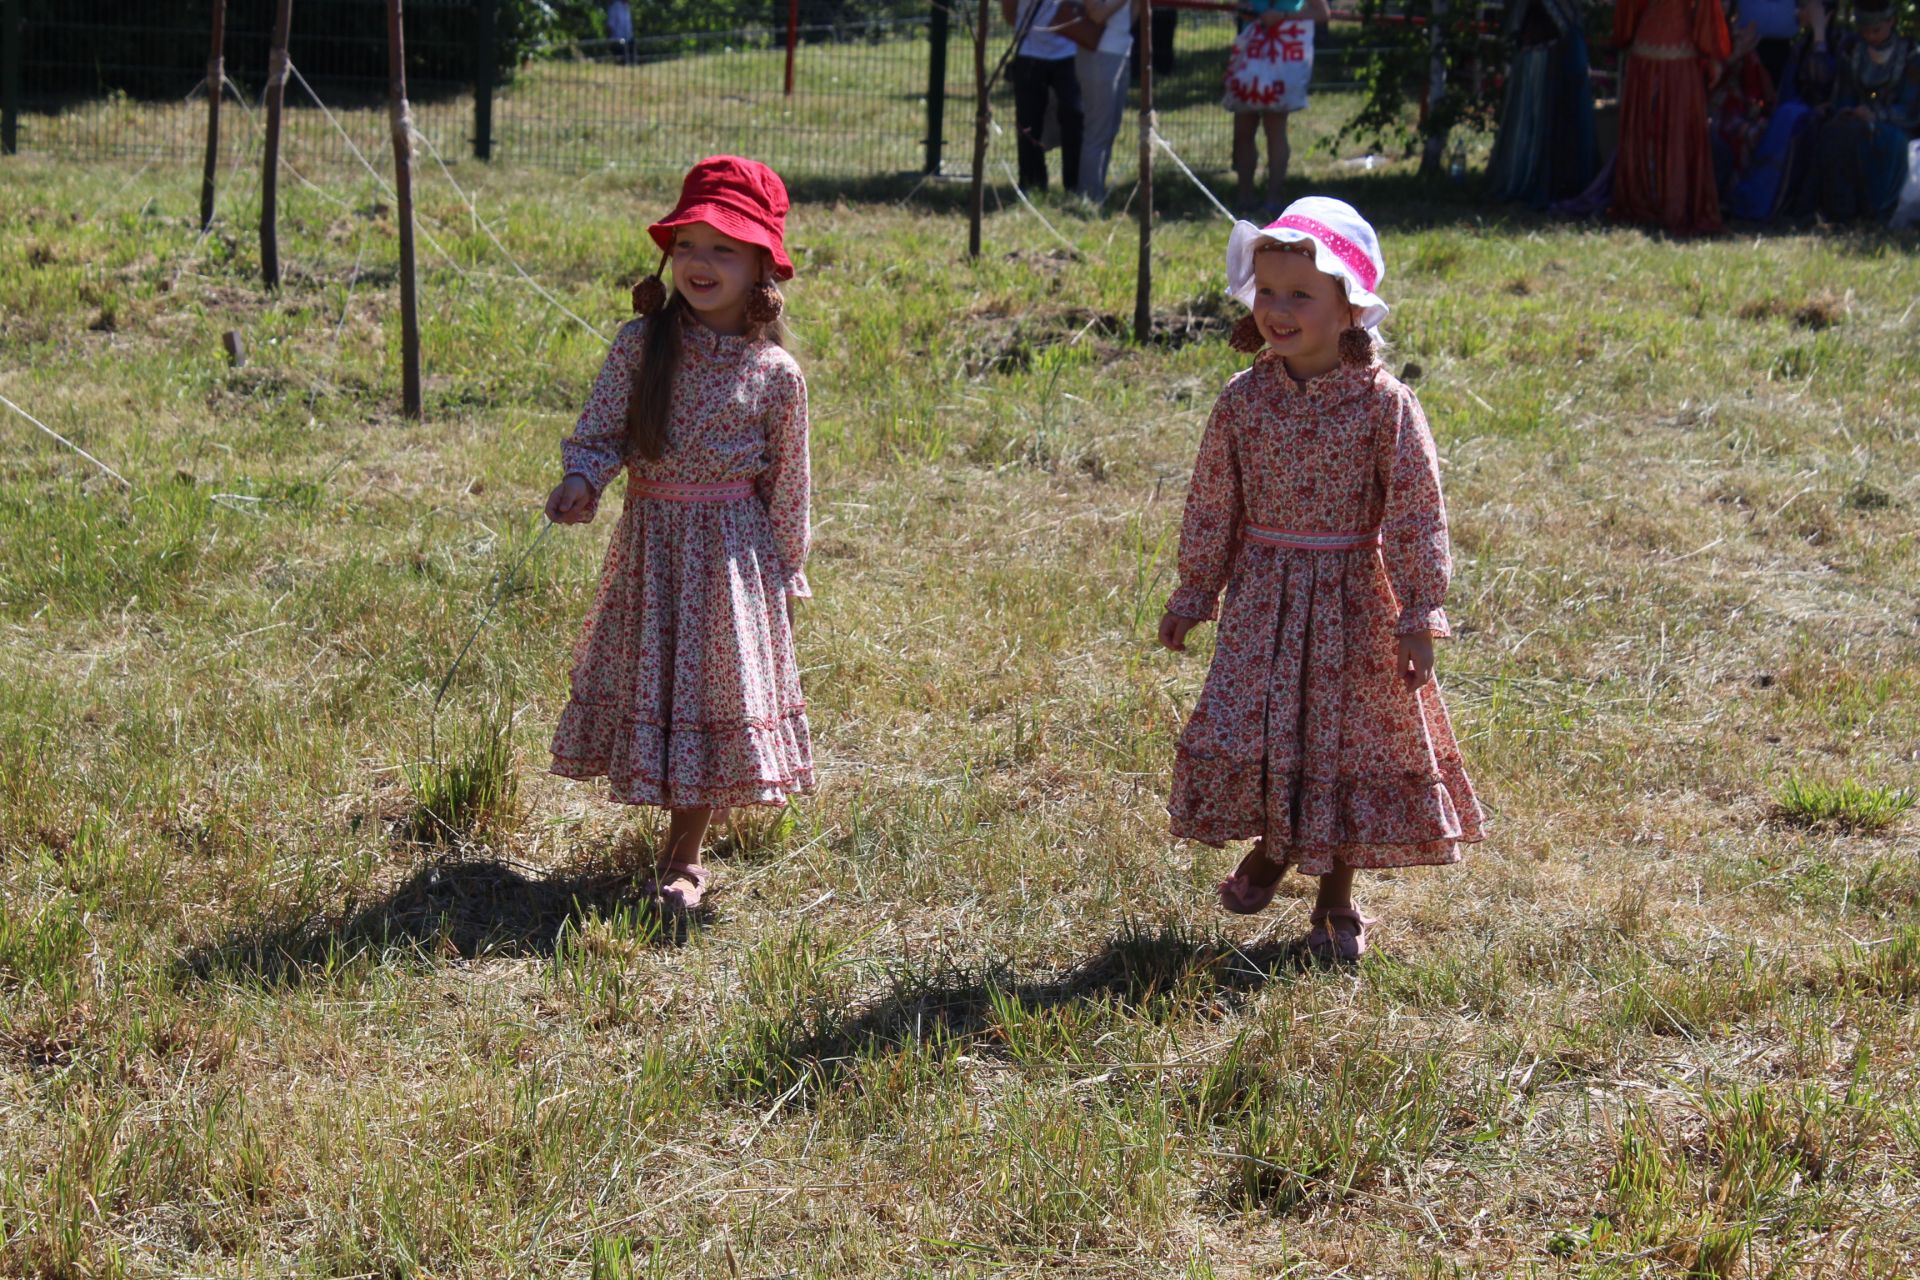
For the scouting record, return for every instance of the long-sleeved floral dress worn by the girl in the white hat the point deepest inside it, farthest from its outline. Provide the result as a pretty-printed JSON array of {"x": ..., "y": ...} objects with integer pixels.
[{"x": 1305, "y": 732}]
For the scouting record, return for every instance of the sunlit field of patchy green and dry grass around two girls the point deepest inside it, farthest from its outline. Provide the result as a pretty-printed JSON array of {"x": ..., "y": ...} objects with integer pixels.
[{"x": 967, "y": 1010}]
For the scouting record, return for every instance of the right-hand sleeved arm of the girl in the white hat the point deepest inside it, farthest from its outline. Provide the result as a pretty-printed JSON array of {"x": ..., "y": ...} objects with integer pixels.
[{"x": 1414, "y": 542}]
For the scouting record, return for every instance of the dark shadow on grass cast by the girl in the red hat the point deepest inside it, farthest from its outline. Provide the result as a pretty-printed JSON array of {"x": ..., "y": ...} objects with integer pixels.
[{"x": 450, "y": 909}]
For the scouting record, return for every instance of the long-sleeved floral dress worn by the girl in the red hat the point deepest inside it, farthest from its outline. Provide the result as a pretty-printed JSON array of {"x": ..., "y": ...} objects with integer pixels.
[{"x": 684, "y": 688}]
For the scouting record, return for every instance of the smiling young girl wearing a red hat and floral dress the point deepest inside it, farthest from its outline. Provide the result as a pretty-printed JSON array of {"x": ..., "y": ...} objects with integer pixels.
[{"x": 684, "y": 690}]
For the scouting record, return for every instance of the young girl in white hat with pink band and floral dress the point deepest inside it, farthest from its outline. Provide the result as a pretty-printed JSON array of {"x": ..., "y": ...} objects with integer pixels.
[{"x": 1316, "y": 506}]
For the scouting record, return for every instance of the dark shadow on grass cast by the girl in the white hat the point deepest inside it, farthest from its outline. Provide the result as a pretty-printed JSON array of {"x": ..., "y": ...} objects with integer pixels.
[{"x": 1161, "y": 974}]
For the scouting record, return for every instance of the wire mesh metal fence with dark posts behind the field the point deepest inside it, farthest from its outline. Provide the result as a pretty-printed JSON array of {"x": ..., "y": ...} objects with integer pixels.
[{"x": 878, "y": 97}]
